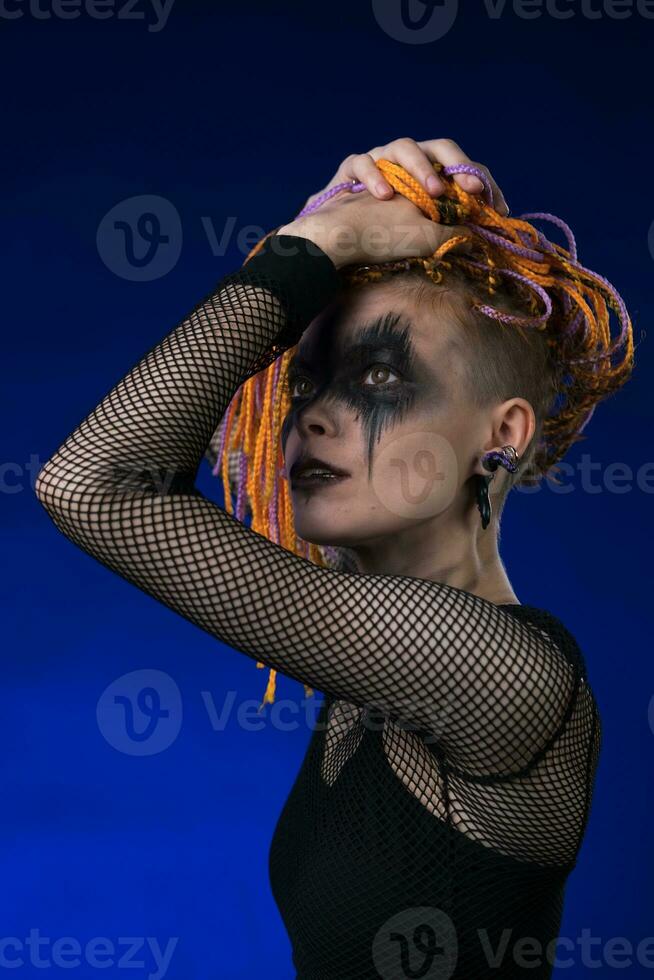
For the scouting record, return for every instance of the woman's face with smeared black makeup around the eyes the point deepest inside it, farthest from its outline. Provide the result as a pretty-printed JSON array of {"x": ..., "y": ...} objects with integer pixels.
[{"x": 379, "y": 390}]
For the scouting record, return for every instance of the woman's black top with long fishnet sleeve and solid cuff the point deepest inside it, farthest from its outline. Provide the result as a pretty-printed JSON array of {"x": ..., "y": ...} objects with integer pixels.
[{"x": 446, "y": 787}]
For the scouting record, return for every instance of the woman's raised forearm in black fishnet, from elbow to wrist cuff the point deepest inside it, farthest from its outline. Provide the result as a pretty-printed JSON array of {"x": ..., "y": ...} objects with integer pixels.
[{"x": 150, "y": 433}]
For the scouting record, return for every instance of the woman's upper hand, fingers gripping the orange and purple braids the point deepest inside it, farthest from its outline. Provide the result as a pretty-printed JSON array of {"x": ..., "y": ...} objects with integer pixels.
[{"x": 417, "y": 158}]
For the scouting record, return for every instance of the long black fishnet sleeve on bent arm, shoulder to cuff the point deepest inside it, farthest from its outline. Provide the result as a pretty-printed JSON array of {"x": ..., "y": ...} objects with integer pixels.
[{"x": 492, "y": 691}]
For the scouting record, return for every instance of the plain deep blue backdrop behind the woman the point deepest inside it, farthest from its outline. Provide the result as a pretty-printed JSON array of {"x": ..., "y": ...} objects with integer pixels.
[{"x": 240, "y": 113}]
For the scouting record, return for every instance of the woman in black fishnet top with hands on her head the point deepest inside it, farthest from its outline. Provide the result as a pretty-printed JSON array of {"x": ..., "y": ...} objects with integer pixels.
[{"x": 444, "y": 795}]
